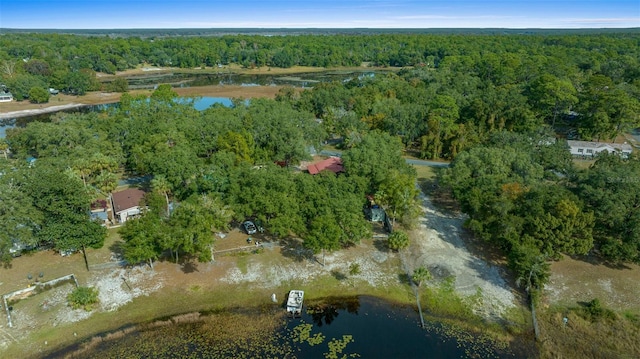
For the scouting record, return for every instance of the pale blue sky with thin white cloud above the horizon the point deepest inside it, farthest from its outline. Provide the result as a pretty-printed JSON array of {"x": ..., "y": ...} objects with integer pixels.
[{"x": 112, "y": 14}]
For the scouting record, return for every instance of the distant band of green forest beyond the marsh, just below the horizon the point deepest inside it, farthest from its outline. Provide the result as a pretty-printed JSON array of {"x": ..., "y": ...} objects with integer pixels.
[{"x": 69, "y": 62}]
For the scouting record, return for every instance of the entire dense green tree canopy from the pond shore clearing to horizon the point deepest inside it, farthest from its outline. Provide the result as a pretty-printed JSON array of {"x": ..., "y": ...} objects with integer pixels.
[{"x": 493, "y": 104}]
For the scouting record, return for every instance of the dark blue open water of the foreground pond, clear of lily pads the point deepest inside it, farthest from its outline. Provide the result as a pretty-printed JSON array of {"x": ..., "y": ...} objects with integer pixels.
[{"x": 383, "y": 330}]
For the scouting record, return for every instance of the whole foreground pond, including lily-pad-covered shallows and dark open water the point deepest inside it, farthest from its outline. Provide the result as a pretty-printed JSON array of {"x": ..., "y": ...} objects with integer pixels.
[{"x": 377, "y": 329}]
